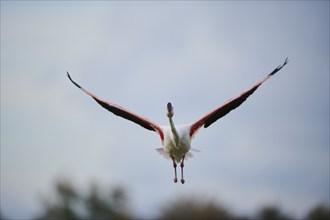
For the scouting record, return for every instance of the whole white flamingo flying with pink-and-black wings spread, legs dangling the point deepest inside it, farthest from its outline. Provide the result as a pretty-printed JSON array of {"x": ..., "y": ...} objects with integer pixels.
[{"x": 176, "y": 140}]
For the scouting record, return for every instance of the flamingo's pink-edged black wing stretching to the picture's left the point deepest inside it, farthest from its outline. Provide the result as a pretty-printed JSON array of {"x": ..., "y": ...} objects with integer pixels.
[{"x": 122, "y": 112}]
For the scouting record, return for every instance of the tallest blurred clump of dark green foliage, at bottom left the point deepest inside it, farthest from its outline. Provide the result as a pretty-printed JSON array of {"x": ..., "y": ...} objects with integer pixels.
[{"x": 72, "y": 205}]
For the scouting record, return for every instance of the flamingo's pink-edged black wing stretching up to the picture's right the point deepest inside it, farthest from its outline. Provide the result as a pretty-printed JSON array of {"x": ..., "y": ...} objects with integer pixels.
[{"x": 231, "y": 104}]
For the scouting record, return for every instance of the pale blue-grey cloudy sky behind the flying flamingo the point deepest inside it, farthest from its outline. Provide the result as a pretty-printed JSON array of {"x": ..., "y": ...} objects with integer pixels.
[{"x": 274, "y": 149}]
